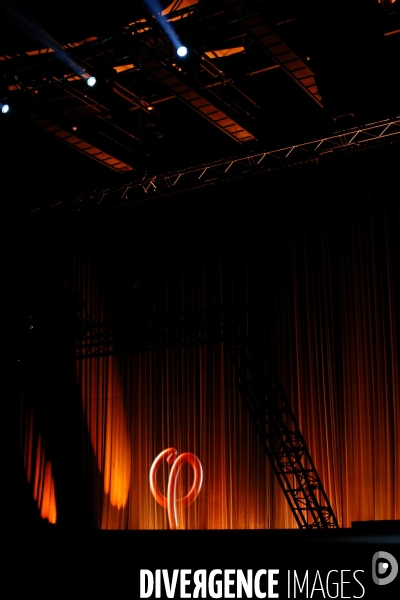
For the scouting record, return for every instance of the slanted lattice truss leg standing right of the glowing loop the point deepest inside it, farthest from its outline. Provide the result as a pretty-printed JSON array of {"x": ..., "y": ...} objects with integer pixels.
[{"x": 281, "y": 437}]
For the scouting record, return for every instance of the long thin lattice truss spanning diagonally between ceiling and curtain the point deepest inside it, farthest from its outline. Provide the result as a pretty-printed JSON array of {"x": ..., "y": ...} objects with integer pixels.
[{"x": 219, "y": 171}]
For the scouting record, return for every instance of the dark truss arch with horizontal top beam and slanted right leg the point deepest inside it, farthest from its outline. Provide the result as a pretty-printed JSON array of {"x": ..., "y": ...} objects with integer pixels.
[{"x": 258, "y": 383}]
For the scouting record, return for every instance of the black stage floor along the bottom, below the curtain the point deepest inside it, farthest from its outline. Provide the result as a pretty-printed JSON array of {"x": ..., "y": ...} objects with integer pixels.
[{"x": 184, "y": 564}]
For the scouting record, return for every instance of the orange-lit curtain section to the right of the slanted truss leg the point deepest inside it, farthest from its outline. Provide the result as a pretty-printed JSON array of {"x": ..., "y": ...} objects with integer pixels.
[{"x": 340, "y": 365}]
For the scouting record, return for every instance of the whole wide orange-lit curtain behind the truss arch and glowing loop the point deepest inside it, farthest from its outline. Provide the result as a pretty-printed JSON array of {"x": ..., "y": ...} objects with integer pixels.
[{"x": 321, "y": 276}]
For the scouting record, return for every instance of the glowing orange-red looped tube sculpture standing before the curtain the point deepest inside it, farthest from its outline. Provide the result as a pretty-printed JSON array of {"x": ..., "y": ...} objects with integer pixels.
[{"x": 171, "y": 501}]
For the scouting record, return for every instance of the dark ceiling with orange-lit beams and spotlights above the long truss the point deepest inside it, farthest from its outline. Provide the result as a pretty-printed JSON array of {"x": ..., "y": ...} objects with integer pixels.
[{"x": 260, "y": 75}]
